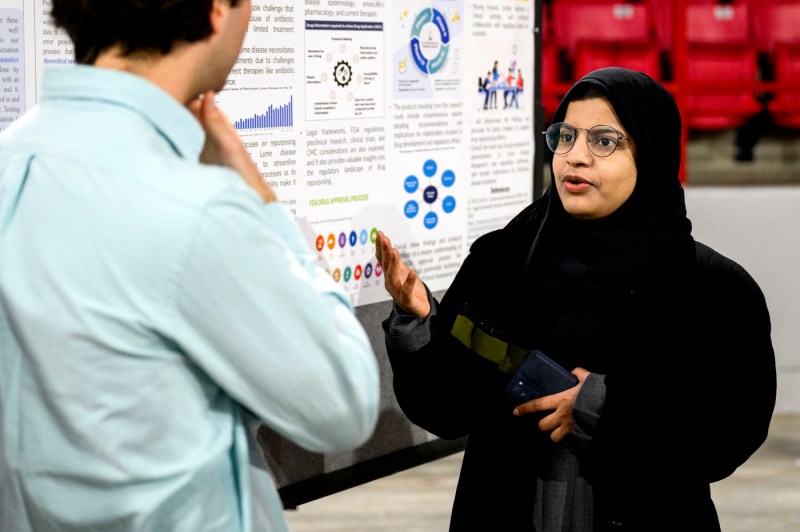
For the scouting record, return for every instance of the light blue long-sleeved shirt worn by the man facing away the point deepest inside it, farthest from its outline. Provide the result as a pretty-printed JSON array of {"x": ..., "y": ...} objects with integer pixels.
[{"x": 143, "y": 298}]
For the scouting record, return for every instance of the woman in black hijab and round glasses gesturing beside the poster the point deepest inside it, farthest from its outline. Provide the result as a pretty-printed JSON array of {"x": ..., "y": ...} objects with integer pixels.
[{"x": 670, "y": 341}]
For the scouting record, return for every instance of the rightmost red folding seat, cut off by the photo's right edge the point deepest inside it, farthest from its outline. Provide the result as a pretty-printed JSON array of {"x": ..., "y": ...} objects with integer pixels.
[{"x": 777, "y": 33}]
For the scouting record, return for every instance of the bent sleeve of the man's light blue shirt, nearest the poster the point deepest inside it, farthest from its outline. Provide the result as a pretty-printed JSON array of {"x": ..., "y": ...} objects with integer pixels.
[{"x": 272, "y": 329}]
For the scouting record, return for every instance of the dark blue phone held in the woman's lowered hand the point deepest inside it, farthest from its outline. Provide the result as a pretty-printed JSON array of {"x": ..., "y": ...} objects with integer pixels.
[{"x": 538, "y": 376}]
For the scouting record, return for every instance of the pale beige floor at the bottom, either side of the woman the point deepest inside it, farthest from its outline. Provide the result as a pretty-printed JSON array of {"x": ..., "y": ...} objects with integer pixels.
[{"x": 762, "y": 496}]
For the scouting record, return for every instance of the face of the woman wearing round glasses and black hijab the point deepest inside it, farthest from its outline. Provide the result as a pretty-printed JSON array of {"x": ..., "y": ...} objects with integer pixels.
[{"x": 592, "y": 187}]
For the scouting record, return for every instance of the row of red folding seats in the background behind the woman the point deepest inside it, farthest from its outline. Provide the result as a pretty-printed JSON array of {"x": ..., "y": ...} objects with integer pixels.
[{"x": 732, "y": 47}]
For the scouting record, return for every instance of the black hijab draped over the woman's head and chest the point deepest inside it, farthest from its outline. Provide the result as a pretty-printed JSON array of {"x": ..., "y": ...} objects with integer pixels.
[{"x": 580, "y": 268}]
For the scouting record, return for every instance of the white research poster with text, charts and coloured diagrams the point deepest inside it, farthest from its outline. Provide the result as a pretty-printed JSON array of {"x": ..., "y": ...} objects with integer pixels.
[{"x": 410, "y": 117}]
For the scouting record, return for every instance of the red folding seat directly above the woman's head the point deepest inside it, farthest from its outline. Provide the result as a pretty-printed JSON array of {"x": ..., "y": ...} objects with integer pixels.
[{"x": 600, "y": 33}]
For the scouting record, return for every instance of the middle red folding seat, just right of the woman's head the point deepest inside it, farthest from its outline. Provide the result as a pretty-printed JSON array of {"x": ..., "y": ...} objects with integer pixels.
[{"x": 721, "y": 50}]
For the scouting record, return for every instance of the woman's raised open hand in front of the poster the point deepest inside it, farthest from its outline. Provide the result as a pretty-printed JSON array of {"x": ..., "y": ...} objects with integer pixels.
[{"x": 402, "y": 283}]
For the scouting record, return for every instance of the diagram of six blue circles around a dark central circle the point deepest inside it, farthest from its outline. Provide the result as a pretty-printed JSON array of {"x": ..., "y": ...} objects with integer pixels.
[{"x": 431, "y": 195}]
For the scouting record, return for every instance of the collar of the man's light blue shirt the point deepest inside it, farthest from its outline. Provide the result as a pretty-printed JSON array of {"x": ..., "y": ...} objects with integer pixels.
[{"x": 171, "y": 119}]
